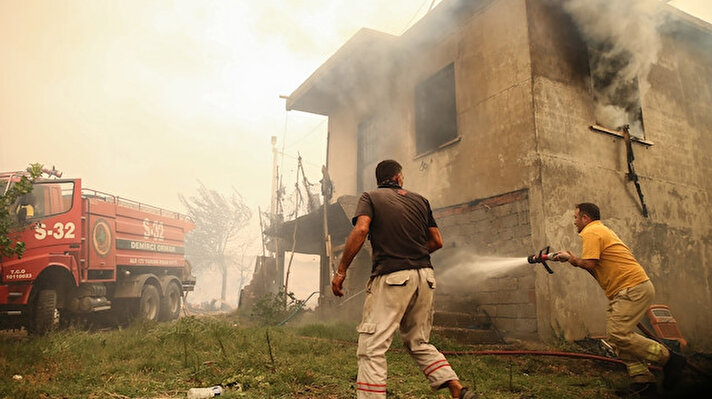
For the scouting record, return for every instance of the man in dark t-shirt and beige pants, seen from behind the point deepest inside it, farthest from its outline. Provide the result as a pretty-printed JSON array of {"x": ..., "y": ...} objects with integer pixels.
[{"x": 400, "y": 291}]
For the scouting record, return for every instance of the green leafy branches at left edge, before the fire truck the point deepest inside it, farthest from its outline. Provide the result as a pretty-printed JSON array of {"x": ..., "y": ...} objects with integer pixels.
[{"x": 10, "y": 192}]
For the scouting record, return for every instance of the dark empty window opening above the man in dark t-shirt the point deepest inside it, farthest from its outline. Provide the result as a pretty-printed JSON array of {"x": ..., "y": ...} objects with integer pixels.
[{"x": 435, "y": 111}]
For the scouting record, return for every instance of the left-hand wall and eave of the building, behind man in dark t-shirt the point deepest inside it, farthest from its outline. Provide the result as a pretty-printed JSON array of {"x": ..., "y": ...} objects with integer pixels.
[{"x": 374, "y": 80}]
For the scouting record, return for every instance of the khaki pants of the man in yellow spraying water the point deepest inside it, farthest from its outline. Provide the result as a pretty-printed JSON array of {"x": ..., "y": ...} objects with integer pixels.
[{"x": 625, "y": 310}]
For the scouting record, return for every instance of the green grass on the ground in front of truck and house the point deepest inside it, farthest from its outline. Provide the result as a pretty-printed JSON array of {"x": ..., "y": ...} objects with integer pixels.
[{"x": 313, "y": 361}]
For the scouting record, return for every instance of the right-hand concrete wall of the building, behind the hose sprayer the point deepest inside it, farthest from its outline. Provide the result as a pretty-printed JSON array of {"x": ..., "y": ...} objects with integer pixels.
[{"x": 581, "y": 165}]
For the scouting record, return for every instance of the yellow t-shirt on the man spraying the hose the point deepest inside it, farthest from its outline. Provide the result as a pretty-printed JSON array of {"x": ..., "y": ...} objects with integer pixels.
[{"x": 617, "y": 268}]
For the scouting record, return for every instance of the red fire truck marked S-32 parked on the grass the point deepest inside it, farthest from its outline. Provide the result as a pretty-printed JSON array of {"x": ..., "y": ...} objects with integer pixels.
[{"x": 90, "y": 253}]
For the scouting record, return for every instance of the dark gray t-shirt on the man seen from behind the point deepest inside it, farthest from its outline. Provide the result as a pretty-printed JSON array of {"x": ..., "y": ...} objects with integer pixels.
[{"x": 399, "y": 228}]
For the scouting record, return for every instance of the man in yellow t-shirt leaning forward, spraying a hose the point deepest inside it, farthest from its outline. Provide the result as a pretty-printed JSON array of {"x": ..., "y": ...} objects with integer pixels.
[{"x": 630, "y": 293}]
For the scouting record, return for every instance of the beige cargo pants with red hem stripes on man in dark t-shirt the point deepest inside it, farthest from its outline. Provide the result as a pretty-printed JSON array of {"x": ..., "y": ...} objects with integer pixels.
[{"x": 400, "y": 299}]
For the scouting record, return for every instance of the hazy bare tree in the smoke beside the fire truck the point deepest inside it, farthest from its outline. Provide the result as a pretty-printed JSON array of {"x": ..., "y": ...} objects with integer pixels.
[{"x": 217, "y": 220}]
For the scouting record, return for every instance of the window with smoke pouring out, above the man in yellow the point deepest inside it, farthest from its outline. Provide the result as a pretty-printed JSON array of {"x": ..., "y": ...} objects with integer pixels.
[{"x": 615, "y": 88}]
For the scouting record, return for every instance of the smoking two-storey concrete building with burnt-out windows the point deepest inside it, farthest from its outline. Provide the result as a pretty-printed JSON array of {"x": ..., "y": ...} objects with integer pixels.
[{"x": 492, "y": 108}]
